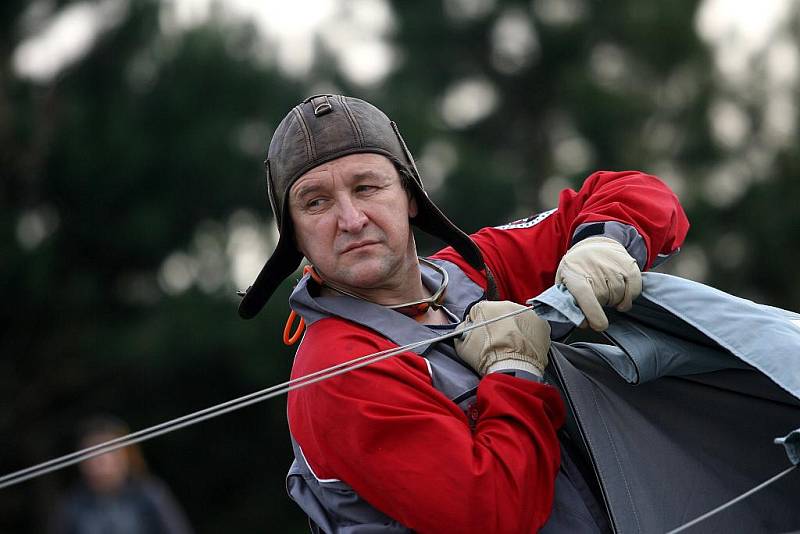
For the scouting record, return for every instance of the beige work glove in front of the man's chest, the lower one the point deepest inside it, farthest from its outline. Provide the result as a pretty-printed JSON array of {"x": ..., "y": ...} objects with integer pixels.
[{"x": 518, "y": 342}]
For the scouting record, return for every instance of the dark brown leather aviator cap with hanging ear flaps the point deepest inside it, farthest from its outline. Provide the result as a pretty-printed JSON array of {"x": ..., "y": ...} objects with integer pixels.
[{"x": 320, "y": 129}]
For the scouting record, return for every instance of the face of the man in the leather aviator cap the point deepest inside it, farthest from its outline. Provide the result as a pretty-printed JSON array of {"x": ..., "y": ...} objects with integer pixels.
[{"x": 351, "y": 221}]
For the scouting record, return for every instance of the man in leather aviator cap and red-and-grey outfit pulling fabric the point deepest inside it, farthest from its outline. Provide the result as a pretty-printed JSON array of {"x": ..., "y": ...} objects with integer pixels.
[{"x": 454, "y": 437}]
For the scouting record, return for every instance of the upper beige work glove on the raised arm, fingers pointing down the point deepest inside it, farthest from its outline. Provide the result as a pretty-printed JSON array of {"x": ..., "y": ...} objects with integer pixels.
[{"x": 598, "y": 272}]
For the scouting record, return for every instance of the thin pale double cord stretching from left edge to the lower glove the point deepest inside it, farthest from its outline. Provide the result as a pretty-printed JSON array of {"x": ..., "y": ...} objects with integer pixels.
[{"x": 229, "y": 406}]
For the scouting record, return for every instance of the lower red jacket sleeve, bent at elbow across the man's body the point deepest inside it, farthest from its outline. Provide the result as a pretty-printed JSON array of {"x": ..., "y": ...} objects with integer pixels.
[{"x": 412, "y": 453}]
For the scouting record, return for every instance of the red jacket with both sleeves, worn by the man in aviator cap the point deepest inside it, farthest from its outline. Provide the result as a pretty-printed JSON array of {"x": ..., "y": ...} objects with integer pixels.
[{"x": 409, "y": 451}]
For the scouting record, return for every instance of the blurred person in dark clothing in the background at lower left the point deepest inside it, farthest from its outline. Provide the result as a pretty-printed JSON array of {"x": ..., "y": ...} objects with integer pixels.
[{"x": 115, "y": 493}]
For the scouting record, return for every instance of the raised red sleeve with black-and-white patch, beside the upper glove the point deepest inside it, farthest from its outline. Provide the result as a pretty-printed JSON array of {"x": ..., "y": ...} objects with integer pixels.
[{"x": 636, "y": 209}]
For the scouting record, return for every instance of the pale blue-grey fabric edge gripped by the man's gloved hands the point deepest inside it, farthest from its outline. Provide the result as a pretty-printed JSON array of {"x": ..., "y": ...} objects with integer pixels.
[{"x": 695, "y": 313}]
